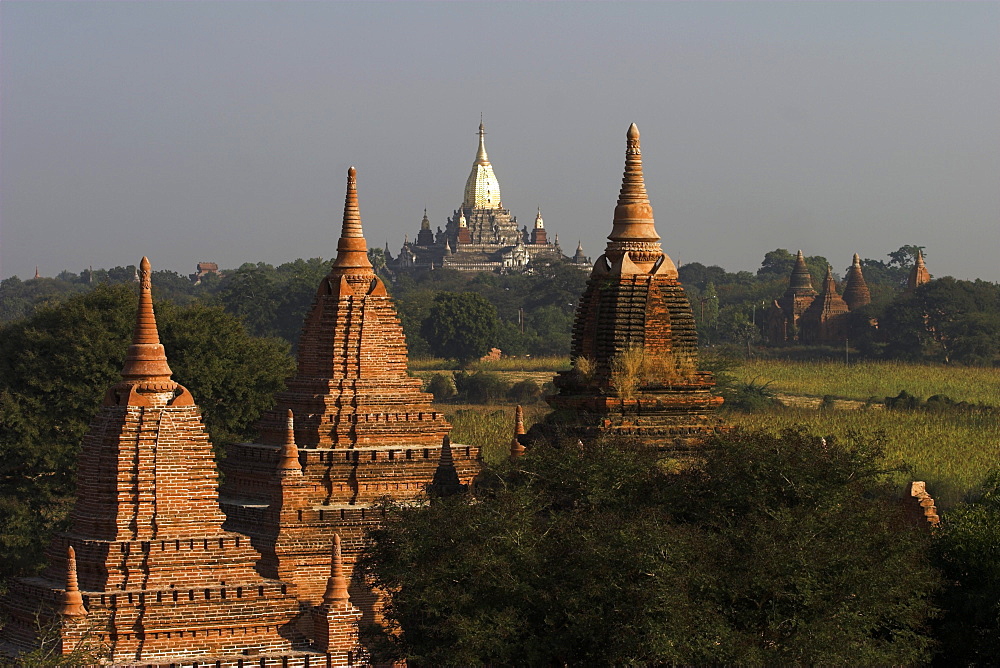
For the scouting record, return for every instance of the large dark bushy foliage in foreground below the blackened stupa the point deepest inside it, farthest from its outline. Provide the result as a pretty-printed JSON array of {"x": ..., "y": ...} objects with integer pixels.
[{"x": 778, "y": 550}]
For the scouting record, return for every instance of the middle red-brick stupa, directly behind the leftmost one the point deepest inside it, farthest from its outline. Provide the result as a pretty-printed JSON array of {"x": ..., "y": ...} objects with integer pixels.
[{"x": 362, "y": 430}]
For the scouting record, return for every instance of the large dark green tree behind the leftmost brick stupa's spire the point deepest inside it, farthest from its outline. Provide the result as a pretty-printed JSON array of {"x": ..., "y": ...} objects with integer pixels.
[{"x": 54, "y": 369}]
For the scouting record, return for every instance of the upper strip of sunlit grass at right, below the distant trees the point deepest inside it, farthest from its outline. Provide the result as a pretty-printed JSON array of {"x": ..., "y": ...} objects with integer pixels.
[{"x": 879, "y": 379}]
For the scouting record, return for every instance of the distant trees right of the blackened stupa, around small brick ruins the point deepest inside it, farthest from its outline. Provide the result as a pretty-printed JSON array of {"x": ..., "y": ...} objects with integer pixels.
[{"x": 945, "y": 321}]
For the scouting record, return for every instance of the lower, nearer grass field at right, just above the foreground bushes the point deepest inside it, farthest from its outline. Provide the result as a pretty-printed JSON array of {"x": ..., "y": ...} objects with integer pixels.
[{"x": 951, "y": 451}]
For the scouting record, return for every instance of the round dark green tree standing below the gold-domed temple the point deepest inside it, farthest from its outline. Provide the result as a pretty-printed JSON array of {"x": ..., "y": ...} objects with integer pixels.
[{"x": 460, "y": 326}]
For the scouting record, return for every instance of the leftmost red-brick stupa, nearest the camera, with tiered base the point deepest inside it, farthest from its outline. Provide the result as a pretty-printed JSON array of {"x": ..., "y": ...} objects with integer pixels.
[{"x": 146, "y": 570}]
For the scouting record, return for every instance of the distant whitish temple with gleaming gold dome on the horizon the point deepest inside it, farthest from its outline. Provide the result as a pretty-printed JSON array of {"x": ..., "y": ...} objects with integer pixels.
[{"x": 481, "y": 235}]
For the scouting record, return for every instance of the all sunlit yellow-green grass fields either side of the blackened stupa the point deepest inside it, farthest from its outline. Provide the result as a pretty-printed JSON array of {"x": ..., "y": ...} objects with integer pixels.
[{"x": 952, "y": 451}]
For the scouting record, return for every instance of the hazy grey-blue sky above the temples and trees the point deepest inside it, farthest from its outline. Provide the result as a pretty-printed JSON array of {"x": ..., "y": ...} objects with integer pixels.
[{"x": 223, "y": 131}]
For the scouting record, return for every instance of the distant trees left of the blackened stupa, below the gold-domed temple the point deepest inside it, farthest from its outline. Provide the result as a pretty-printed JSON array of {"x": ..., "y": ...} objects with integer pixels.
[{"x": 523, "y": 314}]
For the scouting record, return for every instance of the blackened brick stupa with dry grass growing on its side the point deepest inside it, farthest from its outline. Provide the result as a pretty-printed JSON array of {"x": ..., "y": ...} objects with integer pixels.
[{"x": 635, "y": 348}]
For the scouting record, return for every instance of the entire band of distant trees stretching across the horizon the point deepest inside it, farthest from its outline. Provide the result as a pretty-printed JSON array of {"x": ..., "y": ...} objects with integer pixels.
[{"x": 446, "y": 313}]
